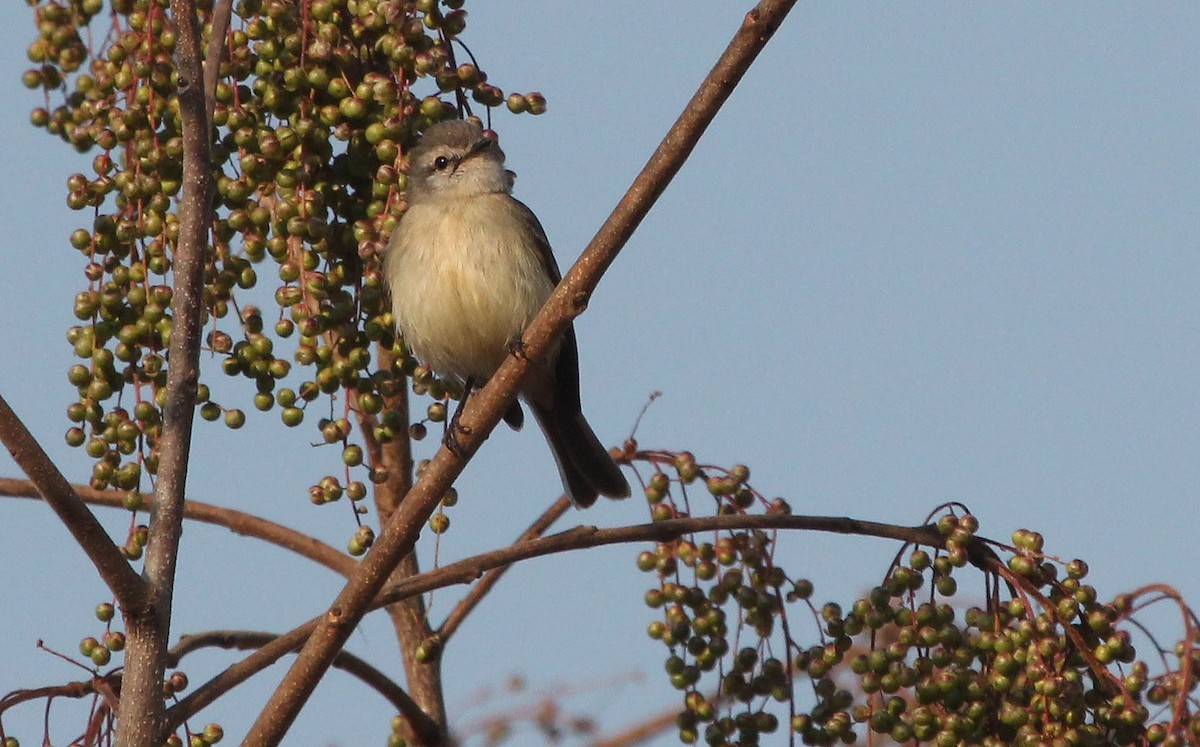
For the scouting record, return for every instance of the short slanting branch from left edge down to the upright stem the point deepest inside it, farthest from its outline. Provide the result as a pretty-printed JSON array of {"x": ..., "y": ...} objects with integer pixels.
[{"x": 46, "y": 481}]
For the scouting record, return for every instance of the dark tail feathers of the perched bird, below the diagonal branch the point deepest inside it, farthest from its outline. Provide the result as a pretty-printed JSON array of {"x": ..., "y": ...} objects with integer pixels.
[{"x": 584, "y": 463}]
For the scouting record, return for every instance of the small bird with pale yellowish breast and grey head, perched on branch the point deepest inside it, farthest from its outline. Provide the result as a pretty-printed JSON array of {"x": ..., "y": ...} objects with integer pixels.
[{"x": 469, "y": 267}]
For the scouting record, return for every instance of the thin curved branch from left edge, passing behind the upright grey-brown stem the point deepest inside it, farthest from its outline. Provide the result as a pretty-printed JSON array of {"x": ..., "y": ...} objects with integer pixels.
[{"x": 241, "y": 523}]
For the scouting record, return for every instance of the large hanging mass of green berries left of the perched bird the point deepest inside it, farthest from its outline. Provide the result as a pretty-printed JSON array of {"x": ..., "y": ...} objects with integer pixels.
[{"x": 315, "y": 107}]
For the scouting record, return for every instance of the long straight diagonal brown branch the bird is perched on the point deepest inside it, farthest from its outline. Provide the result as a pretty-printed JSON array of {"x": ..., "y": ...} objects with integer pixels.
[{"x": 400, "y": 535}]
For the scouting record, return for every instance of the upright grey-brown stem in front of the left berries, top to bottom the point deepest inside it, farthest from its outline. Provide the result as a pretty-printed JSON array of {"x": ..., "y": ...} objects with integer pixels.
[{"x": 149, "y": 625}]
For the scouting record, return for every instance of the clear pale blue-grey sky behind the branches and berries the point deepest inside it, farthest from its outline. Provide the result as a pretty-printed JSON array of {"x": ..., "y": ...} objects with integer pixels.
[{"x": 927, "y": 253}]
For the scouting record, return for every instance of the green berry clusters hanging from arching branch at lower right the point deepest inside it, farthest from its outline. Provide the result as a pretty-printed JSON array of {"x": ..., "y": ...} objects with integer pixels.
[{"x": 907, "y": 662}]
